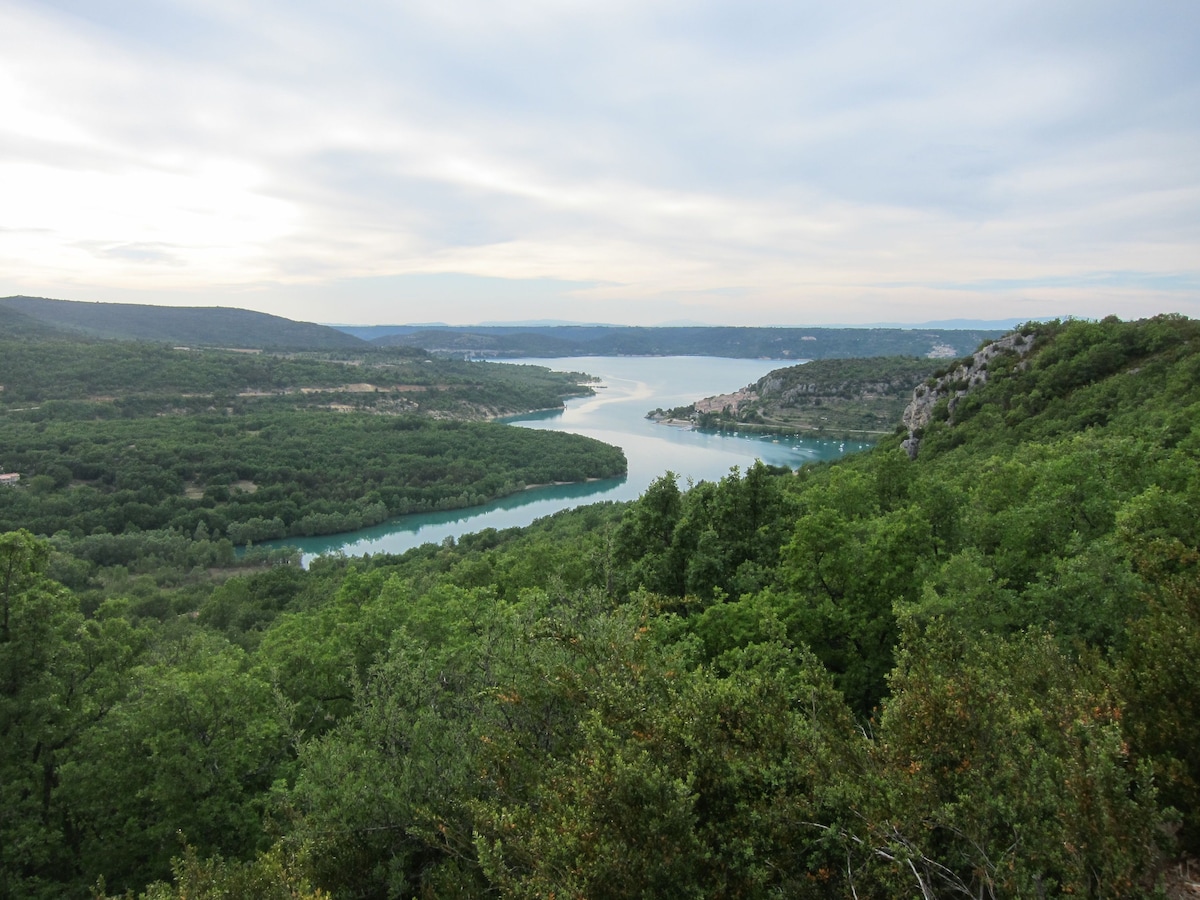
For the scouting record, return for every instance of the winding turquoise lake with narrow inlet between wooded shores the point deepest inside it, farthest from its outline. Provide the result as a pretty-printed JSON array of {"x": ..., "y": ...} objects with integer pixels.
[{"x": 629, "y": 389}]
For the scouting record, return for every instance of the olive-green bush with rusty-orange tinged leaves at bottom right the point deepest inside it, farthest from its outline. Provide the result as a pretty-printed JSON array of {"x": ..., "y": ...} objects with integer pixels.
[{"x": 1006, "y": 772}]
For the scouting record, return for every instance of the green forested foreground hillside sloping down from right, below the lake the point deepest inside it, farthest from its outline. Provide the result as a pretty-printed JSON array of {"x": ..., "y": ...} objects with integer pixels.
[{"x": 974, "y": 671}]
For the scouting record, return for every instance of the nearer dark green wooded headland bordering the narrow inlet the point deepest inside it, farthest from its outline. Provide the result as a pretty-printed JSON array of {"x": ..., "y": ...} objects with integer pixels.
[{"x": 267, "y": 476}]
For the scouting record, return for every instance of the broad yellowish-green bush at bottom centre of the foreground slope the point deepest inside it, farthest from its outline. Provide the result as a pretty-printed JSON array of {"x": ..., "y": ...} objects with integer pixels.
[{"x": 681, "y": 781}]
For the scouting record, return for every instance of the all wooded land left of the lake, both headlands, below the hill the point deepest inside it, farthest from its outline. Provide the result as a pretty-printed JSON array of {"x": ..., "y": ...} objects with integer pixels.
[{"x": 123, "y": 437}]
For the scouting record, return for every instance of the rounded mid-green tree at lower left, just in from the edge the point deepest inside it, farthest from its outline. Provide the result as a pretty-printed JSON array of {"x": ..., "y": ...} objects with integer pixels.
[{"x": 193, "y": 747}]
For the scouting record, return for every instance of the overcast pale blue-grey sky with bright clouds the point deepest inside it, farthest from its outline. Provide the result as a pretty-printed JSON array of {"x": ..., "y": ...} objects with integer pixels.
[{"x": 634, "y": 163}]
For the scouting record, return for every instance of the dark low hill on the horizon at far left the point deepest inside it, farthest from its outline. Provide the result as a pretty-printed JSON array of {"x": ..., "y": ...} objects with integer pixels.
[{"x": 193, "y": 326}]
